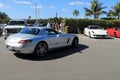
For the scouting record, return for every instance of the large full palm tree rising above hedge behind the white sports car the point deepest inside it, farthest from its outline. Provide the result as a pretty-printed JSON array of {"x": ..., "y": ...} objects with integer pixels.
[{"x": 95, "y": 10}]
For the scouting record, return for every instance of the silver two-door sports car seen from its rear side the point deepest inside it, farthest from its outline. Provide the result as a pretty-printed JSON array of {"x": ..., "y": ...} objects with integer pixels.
[{"x": 39, "y": 40}]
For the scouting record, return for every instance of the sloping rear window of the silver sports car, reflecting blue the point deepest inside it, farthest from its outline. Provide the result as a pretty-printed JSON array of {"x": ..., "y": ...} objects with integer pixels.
[{"x": 33, "y": 31}]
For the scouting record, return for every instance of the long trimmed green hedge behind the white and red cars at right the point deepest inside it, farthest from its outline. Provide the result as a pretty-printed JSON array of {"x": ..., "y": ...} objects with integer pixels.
[{"x": 75, "y": 24}]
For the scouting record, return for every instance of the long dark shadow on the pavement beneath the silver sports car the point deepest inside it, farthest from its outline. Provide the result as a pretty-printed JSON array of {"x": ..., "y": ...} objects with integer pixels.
[{"x": 55, "y": 54}]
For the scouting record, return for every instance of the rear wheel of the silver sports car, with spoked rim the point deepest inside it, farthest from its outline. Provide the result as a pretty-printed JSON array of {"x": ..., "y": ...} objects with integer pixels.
[{"x": 41, "y": 49}]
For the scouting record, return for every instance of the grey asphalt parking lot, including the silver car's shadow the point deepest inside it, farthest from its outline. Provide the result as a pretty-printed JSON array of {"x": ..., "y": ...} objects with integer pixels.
[{"x": 93, "y": 59}]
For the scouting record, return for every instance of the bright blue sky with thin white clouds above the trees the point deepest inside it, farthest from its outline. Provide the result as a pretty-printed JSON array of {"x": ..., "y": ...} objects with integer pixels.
[{"x": 48, "y": 8}]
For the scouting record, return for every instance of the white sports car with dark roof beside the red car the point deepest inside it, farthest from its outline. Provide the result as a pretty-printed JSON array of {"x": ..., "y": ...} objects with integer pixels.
[{"x": 95, "y": 31}]
